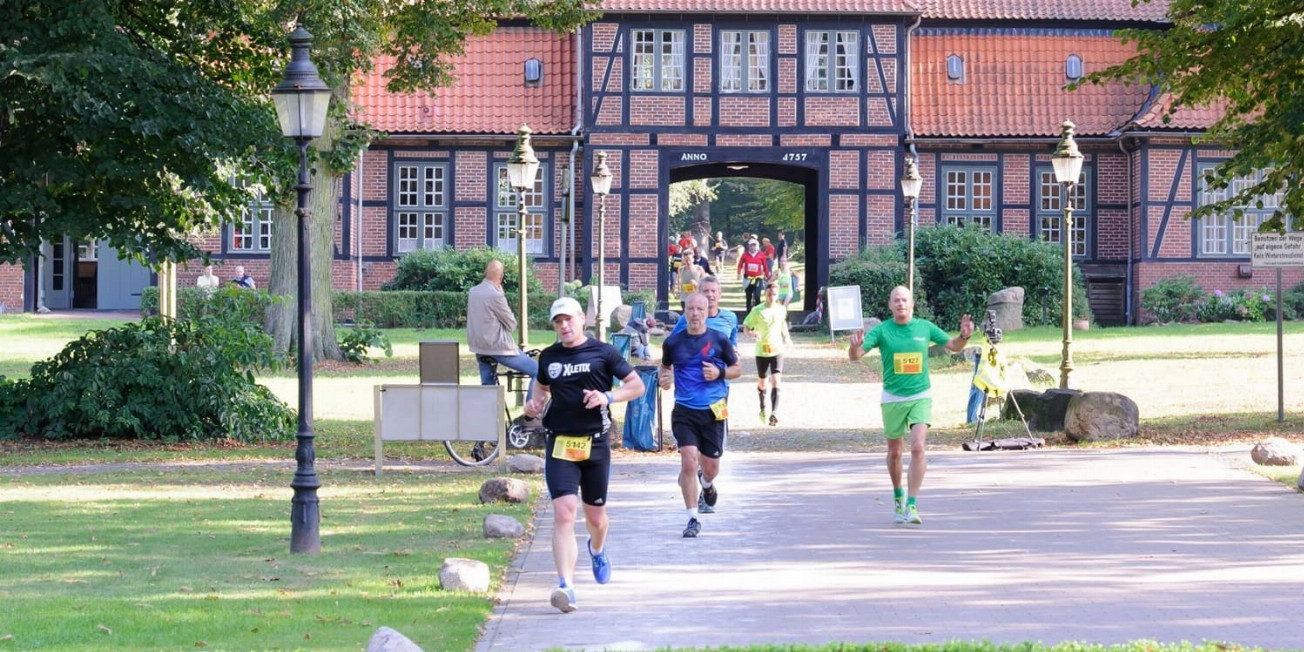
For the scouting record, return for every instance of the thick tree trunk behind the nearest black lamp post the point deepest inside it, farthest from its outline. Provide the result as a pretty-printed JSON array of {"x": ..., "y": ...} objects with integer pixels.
[{"x": 282, "y": 321}]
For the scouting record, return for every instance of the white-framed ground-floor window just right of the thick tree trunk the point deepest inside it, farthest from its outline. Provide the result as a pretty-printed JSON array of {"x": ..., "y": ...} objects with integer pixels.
[{"x": 421, "y": 207}]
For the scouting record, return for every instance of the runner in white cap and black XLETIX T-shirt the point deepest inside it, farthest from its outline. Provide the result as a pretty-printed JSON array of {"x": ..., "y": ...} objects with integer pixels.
[{"x": 578, "y": 374}]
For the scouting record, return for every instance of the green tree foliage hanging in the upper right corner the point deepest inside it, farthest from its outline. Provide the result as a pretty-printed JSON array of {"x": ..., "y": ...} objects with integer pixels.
[{"x": 1245, "y": 58}]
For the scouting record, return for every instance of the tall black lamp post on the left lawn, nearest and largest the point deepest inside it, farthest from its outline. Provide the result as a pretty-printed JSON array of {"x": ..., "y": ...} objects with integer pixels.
[{"x": 302, "y": 100}]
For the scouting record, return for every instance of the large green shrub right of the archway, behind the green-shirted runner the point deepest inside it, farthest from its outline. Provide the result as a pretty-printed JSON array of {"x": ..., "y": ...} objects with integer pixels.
[{"x": 963, "y": 267}]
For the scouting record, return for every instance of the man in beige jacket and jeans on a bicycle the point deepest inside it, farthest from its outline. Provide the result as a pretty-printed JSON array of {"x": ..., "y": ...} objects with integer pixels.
[{"x": 490, "y": 329}]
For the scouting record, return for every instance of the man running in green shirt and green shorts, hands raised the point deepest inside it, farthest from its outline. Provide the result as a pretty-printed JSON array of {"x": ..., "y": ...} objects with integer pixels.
[{"x": 907, "y": 397}]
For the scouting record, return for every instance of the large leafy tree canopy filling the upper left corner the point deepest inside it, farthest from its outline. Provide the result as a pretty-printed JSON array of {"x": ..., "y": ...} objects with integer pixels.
[{"x": 128, "y": 122}]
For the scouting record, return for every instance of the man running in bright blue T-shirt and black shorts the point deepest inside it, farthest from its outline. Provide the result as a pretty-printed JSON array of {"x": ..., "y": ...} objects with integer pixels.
[{"x": 704, "y": 361}]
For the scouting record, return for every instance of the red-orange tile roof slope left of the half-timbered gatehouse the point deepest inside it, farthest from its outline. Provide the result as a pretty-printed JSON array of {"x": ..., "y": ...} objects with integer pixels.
[{"x": 490, "y": 96}]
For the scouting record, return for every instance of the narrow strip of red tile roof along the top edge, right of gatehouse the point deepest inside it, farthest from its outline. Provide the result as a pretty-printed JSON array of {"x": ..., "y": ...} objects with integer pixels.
[{"x": 1153, "y": 11}]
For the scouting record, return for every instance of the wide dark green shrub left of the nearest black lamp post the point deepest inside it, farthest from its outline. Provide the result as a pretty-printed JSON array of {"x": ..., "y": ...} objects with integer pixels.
[{"x": 157, "y": 380}]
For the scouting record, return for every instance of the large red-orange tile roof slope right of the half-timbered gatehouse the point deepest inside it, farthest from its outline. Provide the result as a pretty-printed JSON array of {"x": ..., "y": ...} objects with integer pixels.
[{"x": 1014, "y": 84}]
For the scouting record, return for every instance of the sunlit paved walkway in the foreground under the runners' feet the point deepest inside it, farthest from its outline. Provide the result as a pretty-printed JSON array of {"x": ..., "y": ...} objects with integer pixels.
[{"x": 1100, "y": 547}]
